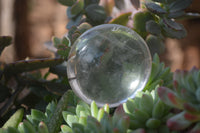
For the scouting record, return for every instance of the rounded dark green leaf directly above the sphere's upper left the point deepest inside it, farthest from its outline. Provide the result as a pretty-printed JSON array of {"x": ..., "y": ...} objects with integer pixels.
[{"x": 96, "y": 14}]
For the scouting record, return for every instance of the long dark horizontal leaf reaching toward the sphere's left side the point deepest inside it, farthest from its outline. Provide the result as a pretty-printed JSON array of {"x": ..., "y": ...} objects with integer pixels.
[{"x": 29, "y": 65}]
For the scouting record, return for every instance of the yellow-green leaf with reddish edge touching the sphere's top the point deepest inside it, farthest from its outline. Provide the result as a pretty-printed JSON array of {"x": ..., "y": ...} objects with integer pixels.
[{"x": 121, "y": 19}]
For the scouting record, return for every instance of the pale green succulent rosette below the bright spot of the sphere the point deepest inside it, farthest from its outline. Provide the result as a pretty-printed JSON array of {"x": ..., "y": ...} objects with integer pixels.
[{"x": 147, "y": 113}]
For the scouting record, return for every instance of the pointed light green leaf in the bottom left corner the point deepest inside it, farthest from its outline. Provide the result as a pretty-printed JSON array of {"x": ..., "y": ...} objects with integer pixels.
[{"x": 15, "y": 119}]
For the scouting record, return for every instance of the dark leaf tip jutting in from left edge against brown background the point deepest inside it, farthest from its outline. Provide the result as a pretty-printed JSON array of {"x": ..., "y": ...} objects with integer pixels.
[{"x": 4, "y": 42}]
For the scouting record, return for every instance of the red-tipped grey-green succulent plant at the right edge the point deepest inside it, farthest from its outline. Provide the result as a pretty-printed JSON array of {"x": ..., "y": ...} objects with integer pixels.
[{"x": 184, "y": 96}]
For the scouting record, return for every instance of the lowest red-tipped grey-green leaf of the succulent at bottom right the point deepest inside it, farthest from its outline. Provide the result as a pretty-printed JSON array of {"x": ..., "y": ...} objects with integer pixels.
[{"x": 178, "y": 122}]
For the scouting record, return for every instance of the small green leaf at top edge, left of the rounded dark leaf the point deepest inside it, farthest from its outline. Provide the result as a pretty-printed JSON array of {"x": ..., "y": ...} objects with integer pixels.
[{"x": 77, "y": 7}]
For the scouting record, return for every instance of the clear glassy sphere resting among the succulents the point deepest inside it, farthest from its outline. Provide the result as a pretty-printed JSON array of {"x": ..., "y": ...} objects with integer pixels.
[{"x": 108, "y": 64}]
